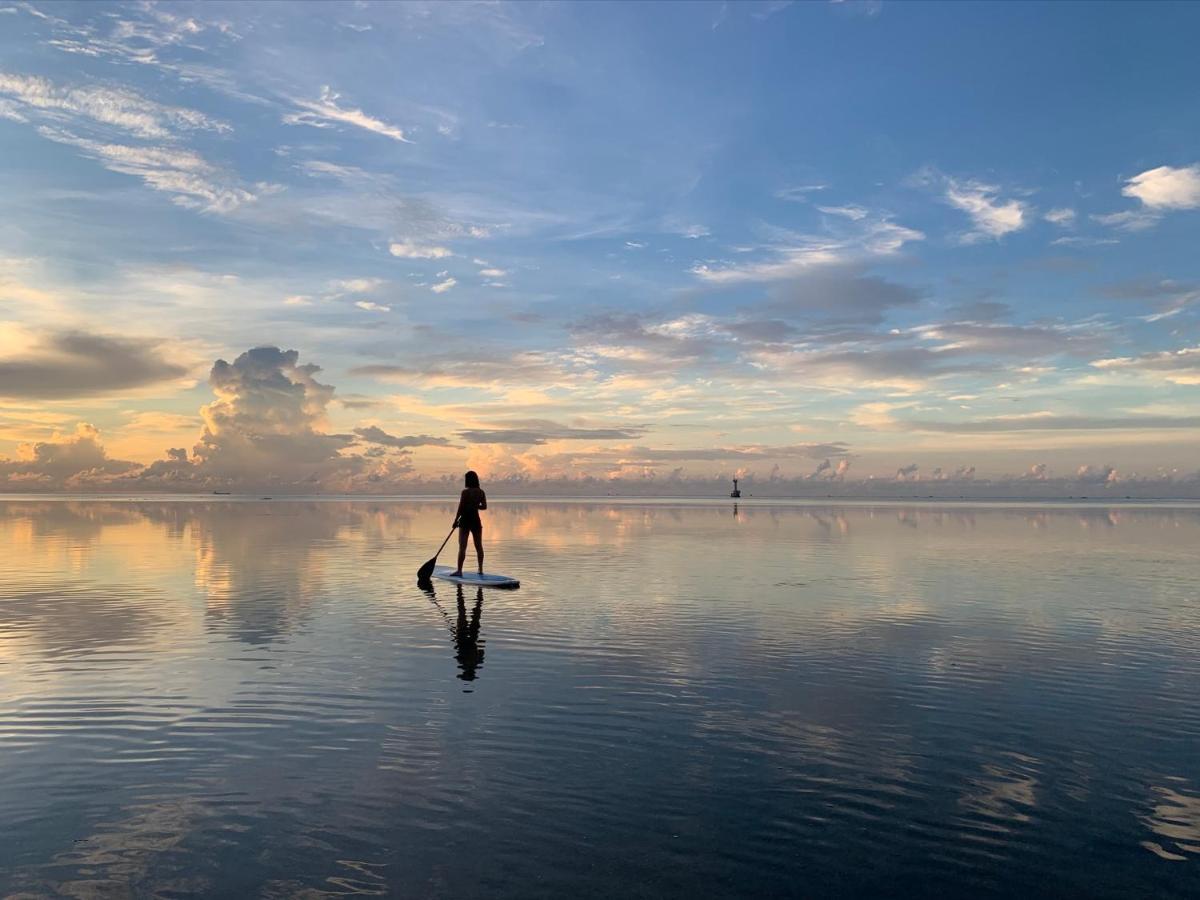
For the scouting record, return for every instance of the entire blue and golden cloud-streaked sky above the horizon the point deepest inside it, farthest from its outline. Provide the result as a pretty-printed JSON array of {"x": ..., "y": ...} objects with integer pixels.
[{"x": 847, "y": 248}]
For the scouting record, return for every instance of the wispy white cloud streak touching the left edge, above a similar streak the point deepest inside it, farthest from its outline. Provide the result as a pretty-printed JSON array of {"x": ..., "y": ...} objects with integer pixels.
[{"x": 103, "y": 106}]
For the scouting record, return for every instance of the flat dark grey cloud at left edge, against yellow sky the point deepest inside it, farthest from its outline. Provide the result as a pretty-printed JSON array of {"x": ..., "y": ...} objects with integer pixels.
[{"x": 76, "y": 364}]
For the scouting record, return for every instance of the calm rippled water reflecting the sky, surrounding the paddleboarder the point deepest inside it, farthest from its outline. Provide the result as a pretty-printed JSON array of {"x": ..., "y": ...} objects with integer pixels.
[{"x": 255, "y": 700}]
